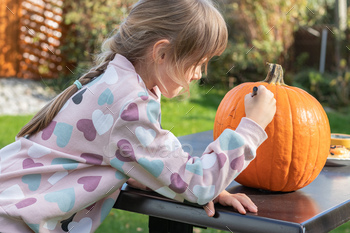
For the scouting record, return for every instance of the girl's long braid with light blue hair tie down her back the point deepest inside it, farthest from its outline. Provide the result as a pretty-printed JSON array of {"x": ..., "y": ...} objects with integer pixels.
[{"x": 44, "y": 117}]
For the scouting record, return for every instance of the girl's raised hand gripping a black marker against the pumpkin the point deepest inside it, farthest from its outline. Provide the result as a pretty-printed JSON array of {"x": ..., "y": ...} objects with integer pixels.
[{"x": 262, "y": 107}]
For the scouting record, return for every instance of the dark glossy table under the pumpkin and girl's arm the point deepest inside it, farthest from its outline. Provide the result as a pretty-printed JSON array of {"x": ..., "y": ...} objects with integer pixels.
[{"x": 319, "y": 207}]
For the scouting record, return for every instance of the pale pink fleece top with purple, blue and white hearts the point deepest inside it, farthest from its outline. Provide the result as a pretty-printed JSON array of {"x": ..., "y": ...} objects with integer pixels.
[{"x": 68, "y": 176}]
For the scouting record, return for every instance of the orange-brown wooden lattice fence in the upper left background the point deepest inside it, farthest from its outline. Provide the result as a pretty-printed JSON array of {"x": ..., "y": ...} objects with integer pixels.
[{"x": 30, "y": 36}]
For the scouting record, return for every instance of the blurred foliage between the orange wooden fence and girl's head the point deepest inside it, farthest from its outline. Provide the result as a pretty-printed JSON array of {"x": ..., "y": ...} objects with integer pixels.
[{"x": 86, "y": 24}]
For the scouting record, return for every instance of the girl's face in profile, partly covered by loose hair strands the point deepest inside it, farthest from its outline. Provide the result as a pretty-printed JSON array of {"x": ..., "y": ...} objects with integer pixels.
[{"x": 170, "y": 88}]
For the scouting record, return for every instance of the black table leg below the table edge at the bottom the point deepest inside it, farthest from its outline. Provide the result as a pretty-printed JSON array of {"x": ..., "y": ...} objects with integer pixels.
[{"x": 159, "y": 225}]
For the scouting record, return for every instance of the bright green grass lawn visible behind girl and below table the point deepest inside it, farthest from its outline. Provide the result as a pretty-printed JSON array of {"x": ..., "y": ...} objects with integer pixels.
[{"x": 181, "y": 117}]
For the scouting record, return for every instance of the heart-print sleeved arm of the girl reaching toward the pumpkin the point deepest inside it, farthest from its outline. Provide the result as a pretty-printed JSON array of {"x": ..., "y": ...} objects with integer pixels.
[{"x": 142, "y": 150}]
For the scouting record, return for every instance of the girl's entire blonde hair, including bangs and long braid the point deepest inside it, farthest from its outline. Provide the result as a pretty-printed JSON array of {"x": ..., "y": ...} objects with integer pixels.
[{"x": 195, "y": 29}]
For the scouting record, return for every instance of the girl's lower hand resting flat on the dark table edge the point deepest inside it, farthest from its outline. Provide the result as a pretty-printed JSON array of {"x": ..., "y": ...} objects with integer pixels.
[{"x": 239, "y": 201}]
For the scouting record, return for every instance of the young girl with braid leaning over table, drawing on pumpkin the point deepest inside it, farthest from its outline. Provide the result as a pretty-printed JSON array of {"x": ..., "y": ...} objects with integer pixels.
[{"x": 66, "y": 168}]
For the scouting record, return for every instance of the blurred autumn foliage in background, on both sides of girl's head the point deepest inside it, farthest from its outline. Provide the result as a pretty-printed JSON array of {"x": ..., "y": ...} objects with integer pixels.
[{"x": 259, "y": 32}]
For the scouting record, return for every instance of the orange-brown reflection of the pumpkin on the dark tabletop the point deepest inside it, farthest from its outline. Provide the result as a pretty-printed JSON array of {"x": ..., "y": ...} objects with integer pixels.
[{"x": 295, "y": 206}]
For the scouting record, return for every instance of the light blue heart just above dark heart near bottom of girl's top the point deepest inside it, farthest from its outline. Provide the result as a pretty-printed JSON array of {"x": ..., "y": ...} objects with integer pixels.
[{"x": 65, "y": 199}]
